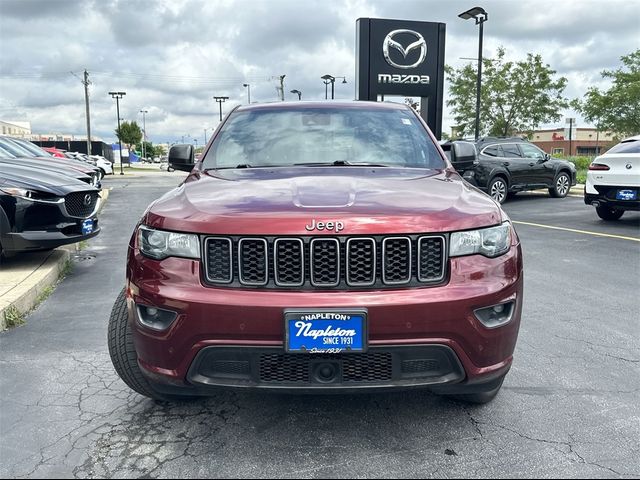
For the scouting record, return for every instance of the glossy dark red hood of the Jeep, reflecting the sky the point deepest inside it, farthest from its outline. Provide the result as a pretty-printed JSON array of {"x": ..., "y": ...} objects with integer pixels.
[{"x": 283, "y": 201}]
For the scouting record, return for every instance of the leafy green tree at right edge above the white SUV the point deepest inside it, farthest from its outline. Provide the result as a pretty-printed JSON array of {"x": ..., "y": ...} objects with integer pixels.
[{"x": 617, "y": 109}]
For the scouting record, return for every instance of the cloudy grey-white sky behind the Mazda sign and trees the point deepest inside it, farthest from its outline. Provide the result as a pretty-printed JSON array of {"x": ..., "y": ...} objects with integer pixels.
[{"x": 172, "y": 56}]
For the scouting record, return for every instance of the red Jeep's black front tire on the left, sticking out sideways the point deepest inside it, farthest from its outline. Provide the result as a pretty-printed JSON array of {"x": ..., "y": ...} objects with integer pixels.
[{"x": 123, "y": 353}]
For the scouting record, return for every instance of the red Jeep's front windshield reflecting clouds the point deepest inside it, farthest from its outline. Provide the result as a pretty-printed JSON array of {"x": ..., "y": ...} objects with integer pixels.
[{"x": 323, "y": 136}]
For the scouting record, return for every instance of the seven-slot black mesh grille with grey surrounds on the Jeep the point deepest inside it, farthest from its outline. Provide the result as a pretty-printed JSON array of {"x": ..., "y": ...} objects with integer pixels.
[{"x": 331, "y": 263}]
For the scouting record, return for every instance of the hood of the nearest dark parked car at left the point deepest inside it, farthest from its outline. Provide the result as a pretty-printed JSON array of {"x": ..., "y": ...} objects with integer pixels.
[{"x": 41, "y": 180}]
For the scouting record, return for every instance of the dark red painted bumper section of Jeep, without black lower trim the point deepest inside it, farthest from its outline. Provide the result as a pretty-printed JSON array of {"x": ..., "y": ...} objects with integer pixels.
[{"x": 222, "y": 316}]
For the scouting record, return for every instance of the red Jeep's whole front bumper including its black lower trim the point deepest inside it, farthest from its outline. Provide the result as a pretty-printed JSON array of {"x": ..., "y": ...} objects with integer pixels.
[{"x": 422, "y": 320}]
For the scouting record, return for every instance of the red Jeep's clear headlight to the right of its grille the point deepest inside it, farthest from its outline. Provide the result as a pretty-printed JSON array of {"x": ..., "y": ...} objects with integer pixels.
[{"x": 490, "y": 242}]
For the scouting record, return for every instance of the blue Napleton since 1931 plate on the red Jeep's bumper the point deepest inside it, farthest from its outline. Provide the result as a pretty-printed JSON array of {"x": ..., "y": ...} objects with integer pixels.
[{"x": 325, "y": 331}]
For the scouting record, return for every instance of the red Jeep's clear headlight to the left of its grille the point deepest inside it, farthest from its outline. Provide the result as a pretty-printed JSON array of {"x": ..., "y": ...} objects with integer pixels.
[{"x": 159, "y": 244}]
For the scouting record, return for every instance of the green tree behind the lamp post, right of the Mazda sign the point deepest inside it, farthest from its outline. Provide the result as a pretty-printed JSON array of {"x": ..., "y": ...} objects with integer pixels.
[{"x": 515, "y": 96}]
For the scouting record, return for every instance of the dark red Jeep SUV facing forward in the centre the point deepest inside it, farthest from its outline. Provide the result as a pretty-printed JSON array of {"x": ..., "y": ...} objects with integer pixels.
[{"x": 320, "y": 247}]
